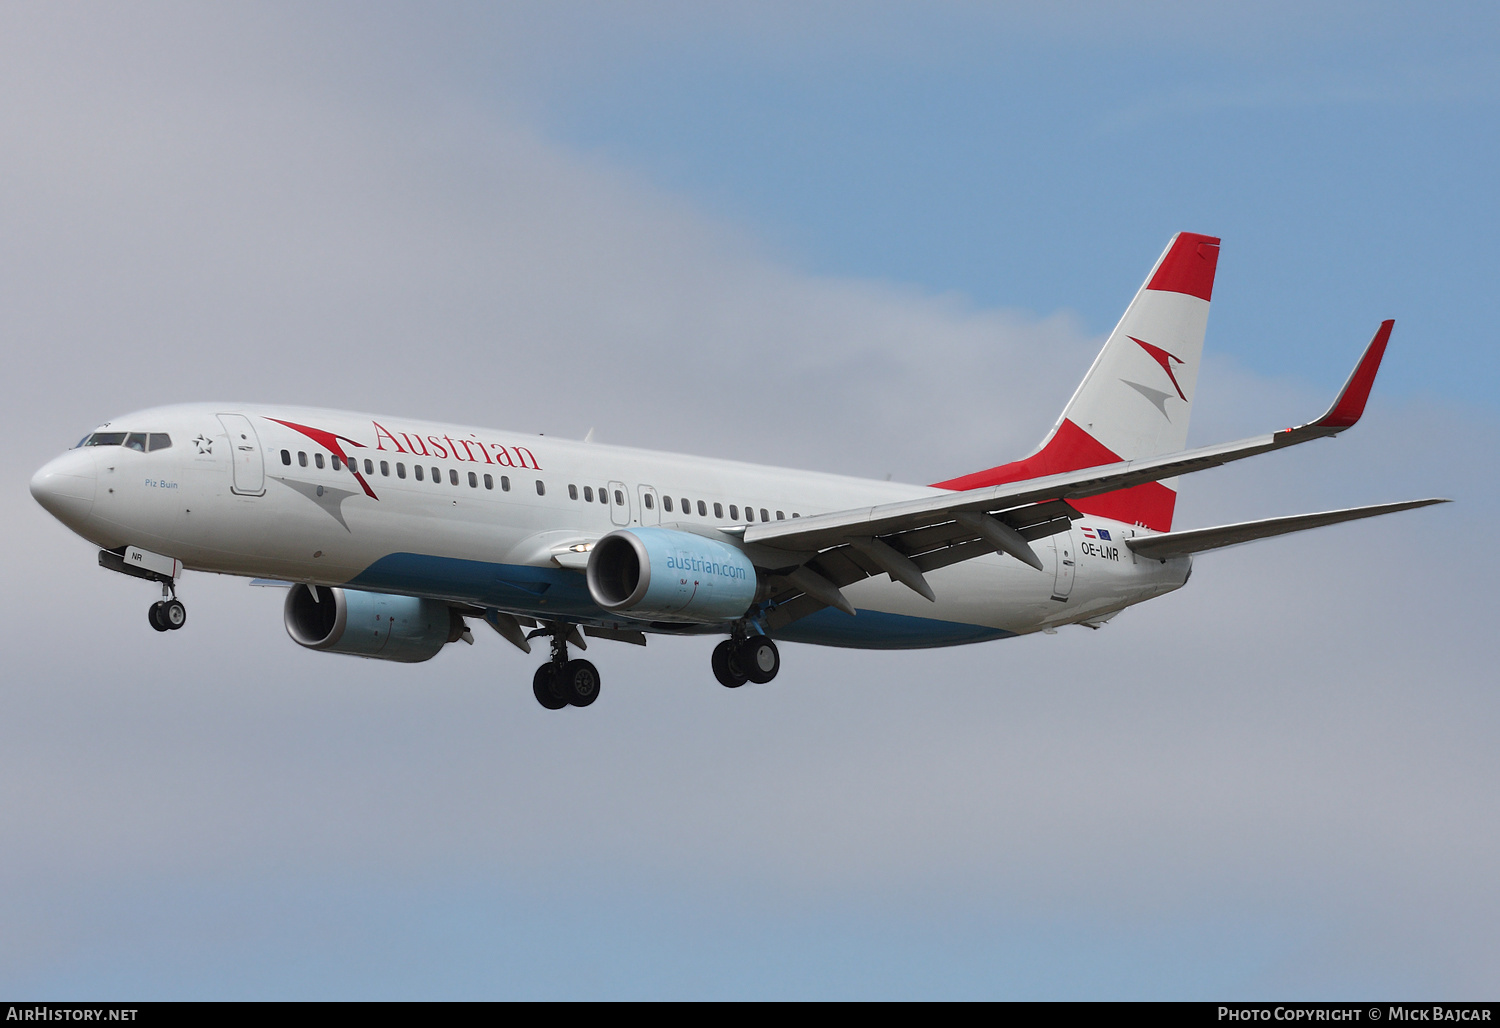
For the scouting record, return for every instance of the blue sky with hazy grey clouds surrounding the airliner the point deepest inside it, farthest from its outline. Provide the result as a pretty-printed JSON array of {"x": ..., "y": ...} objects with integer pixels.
[{"x": 878, "y": 239}]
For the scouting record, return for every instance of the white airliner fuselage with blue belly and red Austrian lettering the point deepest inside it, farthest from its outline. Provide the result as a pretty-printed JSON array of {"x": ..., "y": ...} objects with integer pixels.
[{"x": 502, "y": 520}]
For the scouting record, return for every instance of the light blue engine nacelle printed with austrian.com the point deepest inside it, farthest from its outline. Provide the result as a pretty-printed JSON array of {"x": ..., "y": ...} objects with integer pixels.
[{"x": 668, "y": 576}]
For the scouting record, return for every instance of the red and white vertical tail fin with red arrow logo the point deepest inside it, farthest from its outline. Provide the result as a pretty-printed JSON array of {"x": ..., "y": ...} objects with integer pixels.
[{"x": 1138, "y": 397}]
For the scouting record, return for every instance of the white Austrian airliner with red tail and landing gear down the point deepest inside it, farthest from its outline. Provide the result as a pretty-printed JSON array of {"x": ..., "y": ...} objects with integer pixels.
[{"x": 392, "y": 534}]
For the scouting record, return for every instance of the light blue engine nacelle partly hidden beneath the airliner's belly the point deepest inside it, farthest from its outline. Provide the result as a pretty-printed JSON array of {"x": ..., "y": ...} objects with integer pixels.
[{"x": 370, "y": 625}]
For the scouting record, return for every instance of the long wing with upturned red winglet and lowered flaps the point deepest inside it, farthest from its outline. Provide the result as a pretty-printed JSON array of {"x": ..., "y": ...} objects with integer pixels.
[{"x": 812, "y": 559}]
